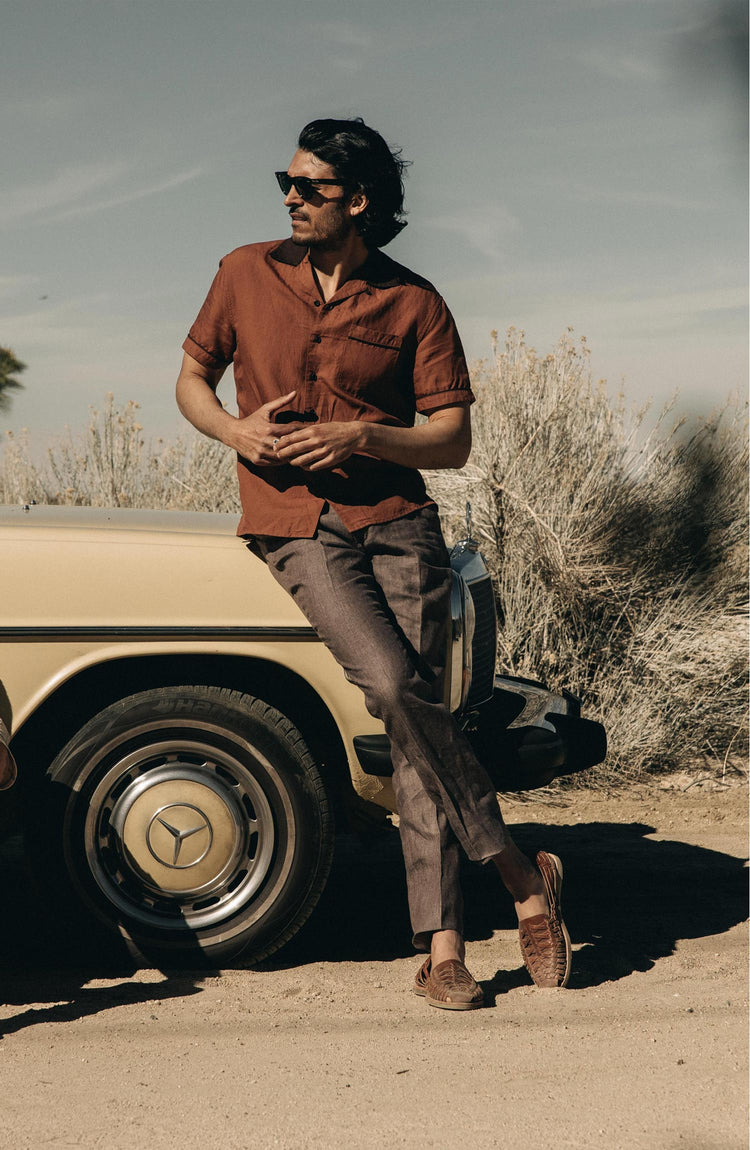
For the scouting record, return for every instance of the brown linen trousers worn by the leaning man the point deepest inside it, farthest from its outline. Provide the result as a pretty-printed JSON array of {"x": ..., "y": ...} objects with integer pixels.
[{"x": 380, "y": 601}]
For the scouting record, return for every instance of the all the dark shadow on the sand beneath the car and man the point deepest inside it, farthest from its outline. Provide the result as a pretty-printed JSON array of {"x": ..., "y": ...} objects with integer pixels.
[{"x": 629, "y": 901}]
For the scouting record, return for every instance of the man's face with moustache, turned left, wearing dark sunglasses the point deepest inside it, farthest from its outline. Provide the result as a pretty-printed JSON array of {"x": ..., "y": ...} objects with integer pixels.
[{"x": 326, "y": 221}]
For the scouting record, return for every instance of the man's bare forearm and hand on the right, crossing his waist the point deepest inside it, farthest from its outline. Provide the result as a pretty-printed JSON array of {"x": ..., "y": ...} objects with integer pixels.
[{"x": 443, "y": 442}]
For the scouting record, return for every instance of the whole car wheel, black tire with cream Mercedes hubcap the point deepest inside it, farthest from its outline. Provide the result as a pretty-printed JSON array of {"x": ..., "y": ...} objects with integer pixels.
[{"x": 193, "y": 822}]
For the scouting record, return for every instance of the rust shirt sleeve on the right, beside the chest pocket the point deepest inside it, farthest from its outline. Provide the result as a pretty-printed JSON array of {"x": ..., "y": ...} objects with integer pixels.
[{"x": 441, "y": 375}]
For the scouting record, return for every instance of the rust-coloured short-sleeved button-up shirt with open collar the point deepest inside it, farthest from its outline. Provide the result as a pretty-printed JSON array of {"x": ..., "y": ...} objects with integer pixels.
[{"x": 382, "y": 349}]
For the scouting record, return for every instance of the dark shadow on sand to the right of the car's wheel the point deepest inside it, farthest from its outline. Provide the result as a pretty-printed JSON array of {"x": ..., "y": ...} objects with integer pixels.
[{"x": 629, "y": 900}]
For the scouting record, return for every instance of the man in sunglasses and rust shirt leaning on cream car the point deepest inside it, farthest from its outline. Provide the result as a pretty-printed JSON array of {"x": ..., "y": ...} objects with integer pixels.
[{"x": 335, "y": 349}]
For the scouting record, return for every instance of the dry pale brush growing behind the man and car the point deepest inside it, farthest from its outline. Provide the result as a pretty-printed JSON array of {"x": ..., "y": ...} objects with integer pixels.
[{"x": 619, "y": 556}]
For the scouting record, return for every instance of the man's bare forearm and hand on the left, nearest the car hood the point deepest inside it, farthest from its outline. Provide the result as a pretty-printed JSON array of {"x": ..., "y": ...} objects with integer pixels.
[{"x": 251, "y": 438}]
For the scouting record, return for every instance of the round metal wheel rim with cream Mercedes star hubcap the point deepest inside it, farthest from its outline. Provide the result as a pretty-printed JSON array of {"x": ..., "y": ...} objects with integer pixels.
[{"x": 179, "y": 840}]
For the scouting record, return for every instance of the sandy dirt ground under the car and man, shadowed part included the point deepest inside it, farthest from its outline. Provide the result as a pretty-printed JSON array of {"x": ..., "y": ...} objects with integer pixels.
[{"x": 327, "y": 1048}]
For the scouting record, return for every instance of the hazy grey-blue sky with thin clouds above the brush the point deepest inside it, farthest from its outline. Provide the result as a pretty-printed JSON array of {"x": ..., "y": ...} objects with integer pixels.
[{"x": 576, "y": 164}]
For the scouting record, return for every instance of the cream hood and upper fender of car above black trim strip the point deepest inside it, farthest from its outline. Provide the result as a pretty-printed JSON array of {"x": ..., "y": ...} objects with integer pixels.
[{"x": 112, "y": 568}]
